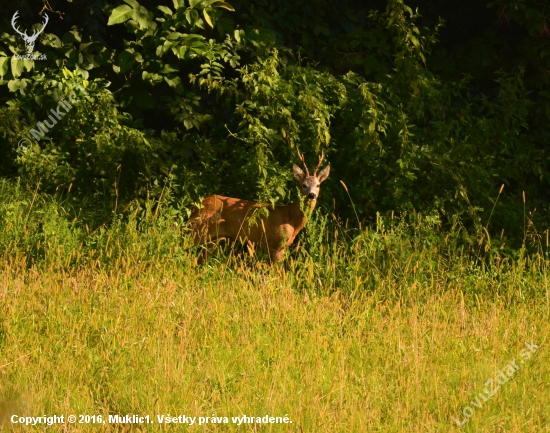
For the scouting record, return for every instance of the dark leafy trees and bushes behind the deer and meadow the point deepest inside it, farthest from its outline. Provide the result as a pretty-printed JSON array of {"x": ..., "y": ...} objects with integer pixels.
[{"x": 422, "y": 106}]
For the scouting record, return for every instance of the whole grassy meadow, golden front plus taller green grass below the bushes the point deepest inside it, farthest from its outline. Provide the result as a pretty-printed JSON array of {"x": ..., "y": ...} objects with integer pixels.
[{"x": 395, "y": 327}]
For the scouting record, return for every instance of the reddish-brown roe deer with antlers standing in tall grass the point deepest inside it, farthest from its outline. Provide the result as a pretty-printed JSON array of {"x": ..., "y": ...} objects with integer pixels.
[{"x": 226, "y": 217}]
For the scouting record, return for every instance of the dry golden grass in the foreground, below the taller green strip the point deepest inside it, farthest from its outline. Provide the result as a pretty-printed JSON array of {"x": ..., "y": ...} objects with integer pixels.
[{"x": 162, "y": 339}]
